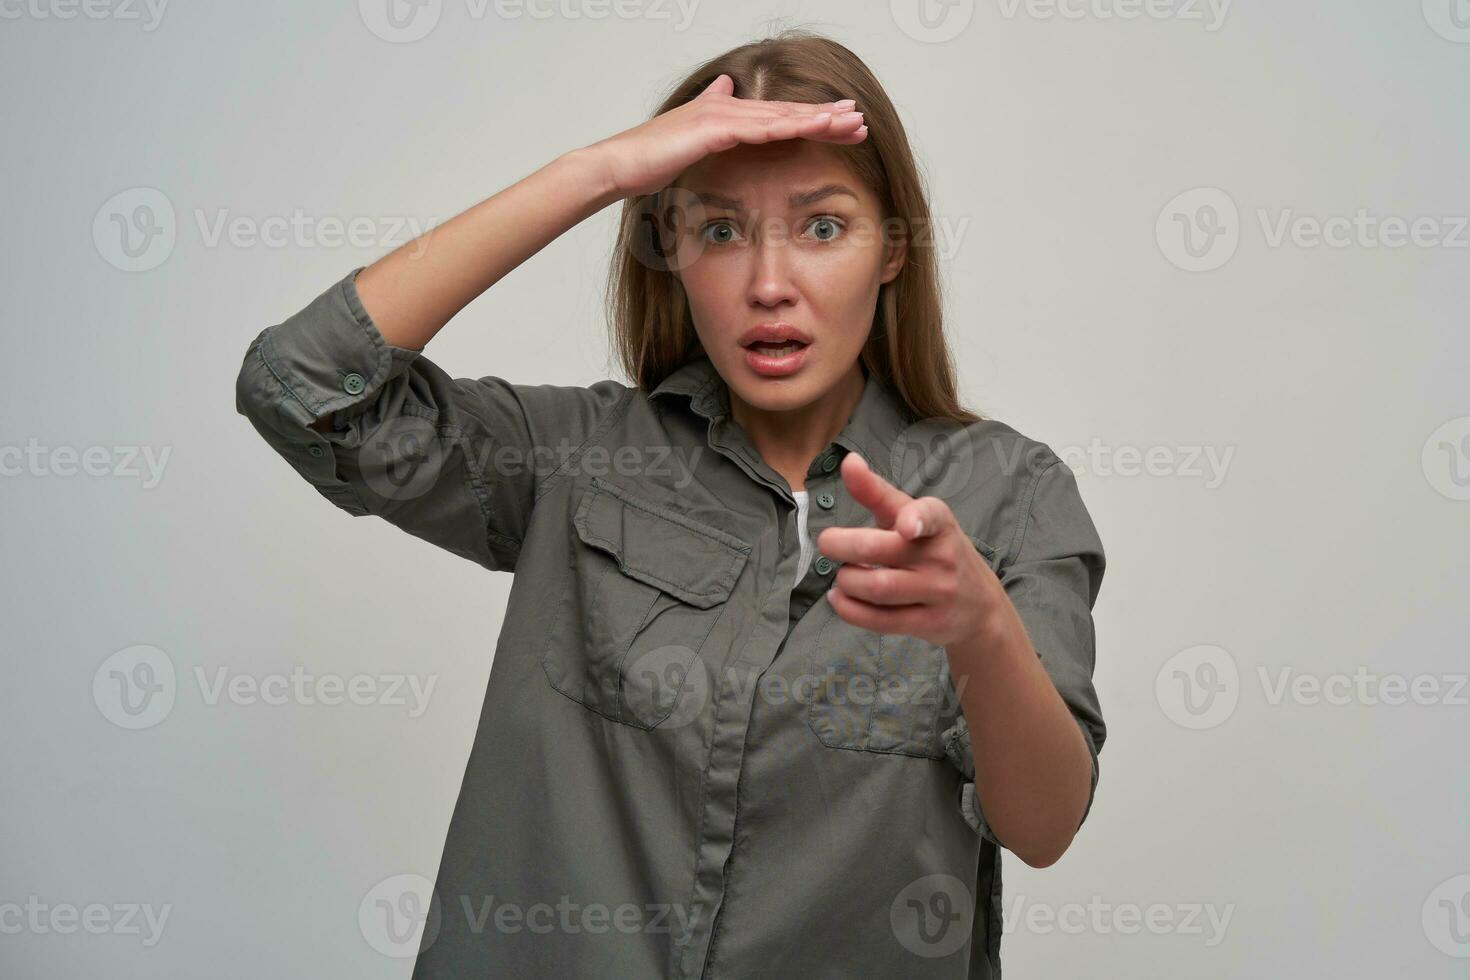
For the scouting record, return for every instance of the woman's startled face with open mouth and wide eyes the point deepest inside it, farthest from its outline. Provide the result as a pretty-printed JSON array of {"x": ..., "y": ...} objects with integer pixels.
[{"x": 781, "y": 237}]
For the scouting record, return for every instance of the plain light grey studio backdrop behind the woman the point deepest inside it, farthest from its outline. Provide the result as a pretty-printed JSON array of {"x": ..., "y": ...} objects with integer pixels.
[{"x": 1327, "y": 546}]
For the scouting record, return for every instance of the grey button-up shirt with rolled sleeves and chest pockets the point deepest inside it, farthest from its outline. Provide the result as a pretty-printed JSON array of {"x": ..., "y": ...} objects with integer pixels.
[{"x": 687, "y": 765}]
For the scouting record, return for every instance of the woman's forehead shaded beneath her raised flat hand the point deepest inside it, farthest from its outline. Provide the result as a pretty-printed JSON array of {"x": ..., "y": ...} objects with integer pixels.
[{"x": 764, "y": 174}]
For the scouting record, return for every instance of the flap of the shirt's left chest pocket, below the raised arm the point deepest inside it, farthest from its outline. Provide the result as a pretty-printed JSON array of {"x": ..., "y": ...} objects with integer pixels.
[{"x": 687, "y": 559}]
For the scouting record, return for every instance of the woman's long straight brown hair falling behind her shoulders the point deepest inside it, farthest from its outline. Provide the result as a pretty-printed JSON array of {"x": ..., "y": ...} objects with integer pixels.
[{"x": 653, "y": 333}]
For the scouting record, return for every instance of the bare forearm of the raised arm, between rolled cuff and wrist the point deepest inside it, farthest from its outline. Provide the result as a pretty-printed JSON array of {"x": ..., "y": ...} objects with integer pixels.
[{"x": 417, "y": 289}]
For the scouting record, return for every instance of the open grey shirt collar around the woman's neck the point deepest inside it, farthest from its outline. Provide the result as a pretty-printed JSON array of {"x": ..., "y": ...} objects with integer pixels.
[{"x": 874, "y": 428}]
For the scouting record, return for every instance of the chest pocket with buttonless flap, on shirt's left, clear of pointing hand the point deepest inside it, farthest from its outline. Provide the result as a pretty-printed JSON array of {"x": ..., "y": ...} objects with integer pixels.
[{"x": 646, "y": 588}]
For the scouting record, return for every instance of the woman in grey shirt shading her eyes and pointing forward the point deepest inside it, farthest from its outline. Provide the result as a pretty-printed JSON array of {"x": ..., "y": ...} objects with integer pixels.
[{"x": 796, "y": 644}]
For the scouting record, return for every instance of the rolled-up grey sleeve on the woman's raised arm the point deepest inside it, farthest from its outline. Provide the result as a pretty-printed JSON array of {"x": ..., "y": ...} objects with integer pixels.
[{"x": 456, "y": 462}]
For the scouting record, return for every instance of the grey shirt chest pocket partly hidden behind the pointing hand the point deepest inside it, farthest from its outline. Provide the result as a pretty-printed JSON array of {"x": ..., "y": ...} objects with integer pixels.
[{"x": 883, "y": 693}]
